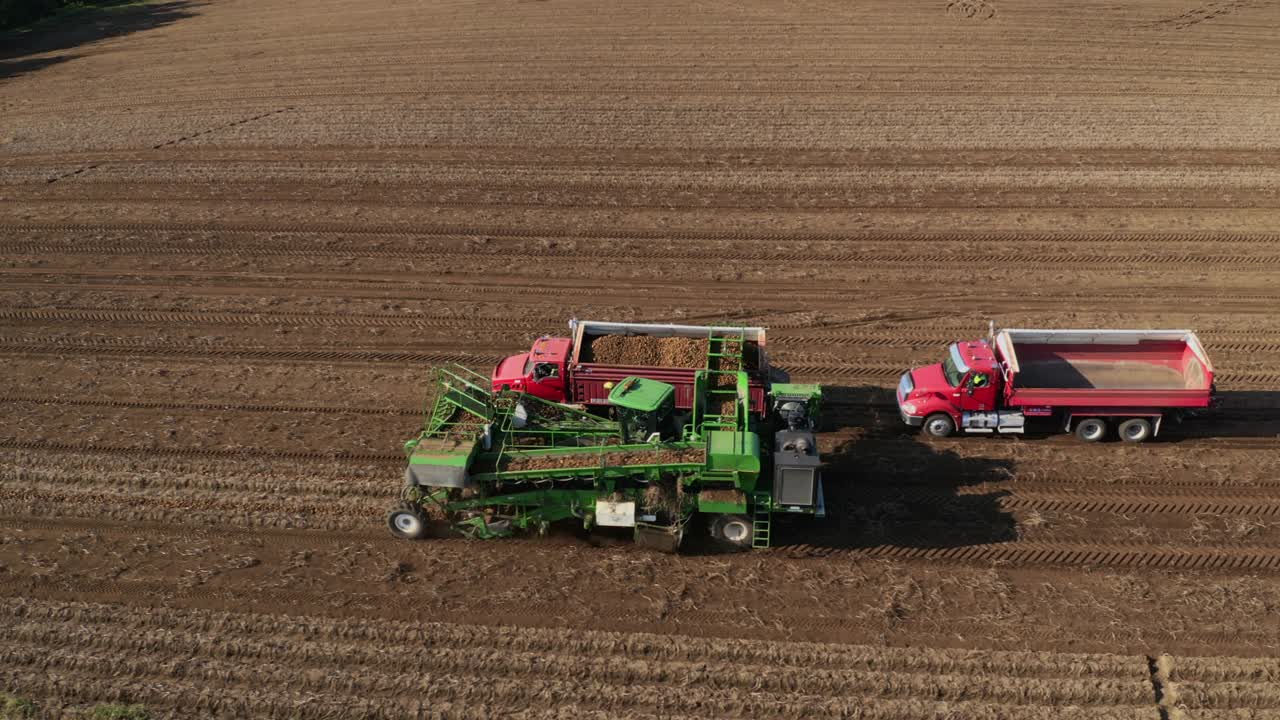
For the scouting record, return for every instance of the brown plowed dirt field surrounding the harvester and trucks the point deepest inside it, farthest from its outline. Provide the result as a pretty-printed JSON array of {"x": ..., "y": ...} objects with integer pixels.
[{"x": 235, "y": 235}]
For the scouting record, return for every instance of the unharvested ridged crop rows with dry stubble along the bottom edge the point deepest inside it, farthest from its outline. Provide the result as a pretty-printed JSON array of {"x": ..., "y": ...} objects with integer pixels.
[{"x": 164, "y": 651}]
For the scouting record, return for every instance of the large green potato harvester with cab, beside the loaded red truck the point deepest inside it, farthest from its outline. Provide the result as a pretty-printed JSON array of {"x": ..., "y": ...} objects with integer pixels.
[{"x": 490, "y": 464}]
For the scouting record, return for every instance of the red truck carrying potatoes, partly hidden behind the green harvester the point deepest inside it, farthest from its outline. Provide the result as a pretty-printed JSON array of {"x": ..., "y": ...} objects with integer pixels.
[{"x": 563, "y": 370}]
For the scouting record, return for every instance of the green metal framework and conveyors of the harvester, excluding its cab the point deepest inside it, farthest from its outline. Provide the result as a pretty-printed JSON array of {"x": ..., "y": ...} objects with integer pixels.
[{"x": 478, "y": 432}]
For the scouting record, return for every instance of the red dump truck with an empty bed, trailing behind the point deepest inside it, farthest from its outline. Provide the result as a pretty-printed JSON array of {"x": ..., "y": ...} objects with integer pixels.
[{"x": 1087, "y": 382}]
